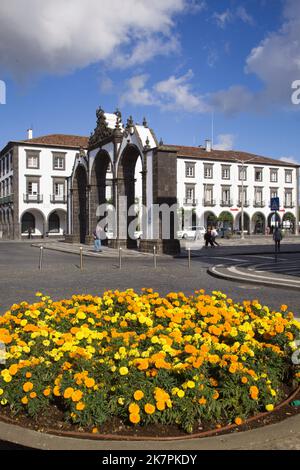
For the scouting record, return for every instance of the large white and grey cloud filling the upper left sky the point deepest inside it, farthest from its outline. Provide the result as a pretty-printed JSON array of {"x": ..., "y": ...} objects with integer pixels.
[{"x": 58, "y": 36}]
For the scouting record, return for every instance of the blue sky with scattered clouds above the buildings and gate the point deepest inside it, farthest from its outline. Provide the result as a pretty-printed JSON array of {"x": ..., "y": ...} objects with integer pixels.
[{"x": 176, "y": 62}]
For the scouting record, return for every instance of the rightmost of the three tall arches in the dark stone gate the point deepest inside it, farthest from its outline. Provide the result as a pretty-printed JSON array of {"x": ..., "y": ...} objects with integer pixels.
[{"x": 126, "y": 193}]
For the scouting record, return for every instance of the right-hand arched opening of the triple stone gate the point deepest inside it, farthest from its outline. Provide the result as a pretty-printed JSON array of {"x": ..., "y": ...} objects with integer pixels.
[{"x": 130, "y": 185}]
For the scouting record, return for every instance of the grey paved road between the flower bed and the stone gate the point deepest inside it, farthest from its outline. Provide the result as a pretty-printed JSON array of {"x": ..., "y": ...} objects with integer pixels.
[{"x": 61, "y": 276}]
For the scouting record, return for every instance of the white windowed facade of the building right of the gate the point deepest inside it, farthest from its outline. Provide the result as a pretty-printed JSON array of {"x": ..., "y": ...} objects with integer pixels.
[{"x": 210, "y": 187}]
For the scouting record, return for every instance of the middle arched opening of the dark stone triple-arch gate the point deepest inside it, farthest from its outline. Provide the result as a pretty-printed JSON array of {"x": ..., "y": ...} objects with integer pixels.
[{"x": 102, "y": 191}]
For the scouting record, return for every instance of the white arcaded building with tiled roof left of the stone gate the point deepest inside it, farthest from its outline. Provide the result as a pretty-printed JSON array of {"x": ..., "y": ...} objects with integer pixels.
[{"x": 33, "y": 188}]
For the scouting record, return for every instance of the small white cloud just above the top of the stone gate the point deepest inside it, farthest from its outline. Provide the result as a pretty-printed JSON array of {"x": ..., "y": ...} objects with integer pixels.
[{"x": 174, "y": 93}]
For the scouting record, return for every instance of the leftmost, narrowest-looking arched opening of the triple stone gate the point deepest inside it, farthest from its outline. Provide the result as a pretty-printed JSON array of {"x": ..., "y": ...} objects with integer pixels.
[{"x": 80, "y": 212}]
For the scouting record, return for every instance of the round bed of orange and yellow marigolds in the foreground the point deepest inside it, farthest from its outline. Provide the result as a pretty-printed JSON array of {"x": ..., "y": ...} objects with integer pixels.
[{"x": 146, "y": 359}]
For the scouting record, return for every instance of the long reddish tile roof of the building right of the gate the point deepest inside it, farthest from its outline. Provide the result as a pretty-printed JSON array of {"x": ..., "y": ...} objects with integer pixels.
[{"x": 224, "y": 155}]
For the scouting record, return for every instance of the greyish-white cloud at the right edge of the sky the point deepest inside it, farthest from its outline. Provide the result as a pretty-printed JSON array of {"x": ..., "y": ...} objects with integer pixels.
[{"x": 276, "y": 62}]
